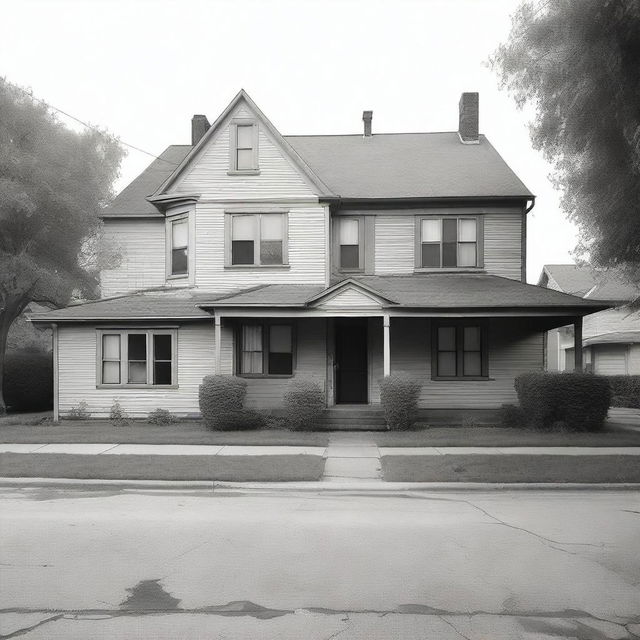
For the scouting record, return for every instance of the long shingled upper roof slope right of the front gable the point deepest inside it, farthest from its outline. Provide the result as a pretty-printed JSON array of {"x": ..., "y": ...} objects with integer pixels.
[{"x": 409, "y": 165}]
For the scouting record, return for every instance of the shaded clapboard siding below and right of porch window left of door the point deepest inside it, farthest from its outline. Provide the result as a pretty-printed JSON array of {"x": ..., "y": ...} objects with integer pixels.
[{"x": 310, "y": 364}]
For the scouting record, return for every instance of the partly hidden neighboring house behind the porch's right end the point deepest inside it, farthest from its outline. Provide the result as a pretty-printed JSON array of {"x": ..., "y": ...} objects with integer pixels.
[{"x": 610, "y": 338}]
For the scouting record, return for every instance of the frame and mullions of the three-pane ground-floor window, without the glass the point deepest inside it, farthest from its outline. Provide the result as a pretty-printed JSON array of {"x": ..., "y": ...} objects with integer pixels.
[{"x": 124, "y": 357}]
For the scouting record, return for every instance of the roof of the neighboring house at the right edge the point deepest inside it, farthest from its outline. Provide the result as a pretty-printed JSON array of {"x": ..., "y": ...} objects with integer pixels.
[{"x": 587, "y": 282}]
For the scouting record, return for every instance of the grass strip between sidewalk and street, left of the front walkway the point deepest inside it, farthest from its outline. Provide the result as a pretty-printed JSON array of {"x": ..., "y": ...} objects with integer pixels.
[{"x": 268, "y": 468}]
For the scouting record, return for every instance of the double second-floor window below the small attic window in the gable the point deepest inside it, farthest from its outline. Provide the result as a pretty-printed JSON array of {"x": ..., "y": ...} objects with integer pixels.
[{"x": 258, "y": 239}]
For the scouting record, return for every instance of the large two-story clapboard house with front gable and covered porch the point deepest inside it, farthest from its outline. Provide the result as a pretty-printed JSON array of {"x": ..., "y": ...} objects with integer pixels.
[{"x": 336, "y": 258}]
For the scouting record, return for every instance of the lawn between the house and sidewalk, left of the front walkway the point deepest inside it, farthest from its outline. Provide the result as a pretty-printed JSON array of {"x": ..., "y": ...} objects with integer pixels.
[{"x": 187, "y": 432}]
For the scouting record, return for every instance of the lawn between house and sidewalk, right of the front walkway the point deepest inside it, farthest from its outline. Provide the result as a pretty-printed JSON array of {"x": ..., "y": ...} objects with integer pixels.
[{"x": 501, "y": 437}]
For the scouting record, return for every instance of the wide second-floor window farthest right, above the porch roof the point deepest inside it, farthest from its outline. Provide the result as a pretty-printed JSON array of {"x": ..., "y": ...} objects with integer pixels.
[{"x": 448, "y": 242}]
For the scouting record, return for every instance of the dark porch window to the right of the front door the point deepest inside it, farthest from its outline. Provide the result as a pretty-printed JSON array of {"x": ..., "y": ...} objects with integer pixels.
[{"x": 459, "y": 351}]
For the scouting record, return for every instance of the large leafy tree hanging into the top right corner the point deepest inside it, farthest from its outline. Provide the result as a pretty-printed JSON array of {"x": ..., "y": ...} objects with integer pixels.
[{"x": 578, "y": 65}]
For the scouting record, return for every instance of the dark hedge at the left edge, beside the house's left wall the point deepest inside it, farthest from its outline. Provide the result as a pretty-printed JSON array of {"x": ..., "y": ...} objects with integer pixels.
[{"x": 28, "y": 380}]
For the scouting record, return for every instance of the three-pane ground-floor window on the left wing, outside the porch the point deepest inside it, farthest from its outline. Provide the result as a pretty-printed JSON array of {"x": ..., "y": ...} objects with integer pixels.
[{"x": 137, "y": 357}]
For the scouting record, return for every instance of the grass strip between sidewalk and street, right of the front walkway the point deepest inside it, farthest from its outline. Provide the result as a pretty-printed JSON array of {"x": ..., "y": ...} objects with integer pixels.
[{"x": 511, "y": 468}]
